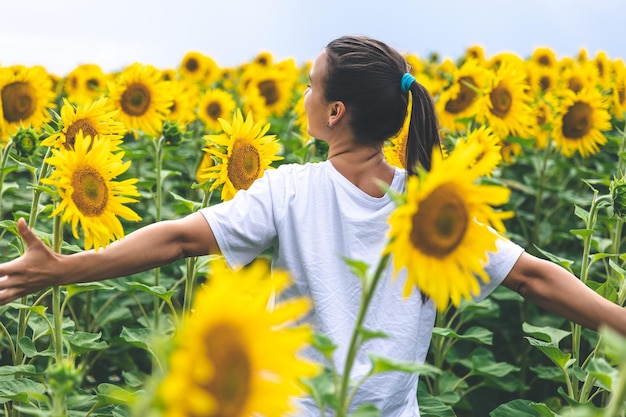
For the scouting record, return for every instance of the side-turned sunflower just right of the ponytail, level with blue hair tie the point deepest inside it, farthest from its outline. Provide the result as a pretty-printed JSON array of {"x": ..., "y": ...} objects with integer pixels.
[{"x": 458, "y": 101}]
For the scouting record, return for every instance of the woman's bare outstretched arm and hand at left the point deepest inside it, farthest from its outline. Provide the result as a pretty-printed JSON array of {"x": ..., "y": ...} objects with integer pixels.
[{"x": 146, "y": 248}]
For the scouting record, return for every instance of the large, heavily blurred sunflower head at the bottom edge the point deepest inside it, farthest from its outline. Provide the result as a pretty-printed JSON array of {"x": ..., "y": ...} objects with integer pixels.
[{"x": 234, "y": 356}]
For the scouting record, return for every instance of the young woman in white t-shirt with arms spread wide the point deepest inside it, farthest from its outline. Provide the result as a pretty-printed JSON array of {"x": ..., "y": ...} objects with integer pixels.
[{"x": 315, "y": 214}]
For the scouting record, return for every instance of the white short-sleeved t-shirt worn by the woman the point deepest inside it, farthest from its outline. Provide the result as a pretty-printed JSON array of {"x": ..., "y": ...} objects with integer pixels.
[{"x": 313, "y": 217}]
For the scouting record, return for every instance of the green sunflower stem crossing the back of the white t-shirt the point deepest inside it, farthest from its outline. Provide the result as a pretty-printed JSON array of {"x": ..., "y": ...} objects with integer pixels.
[{"x": 355, "y": 342}]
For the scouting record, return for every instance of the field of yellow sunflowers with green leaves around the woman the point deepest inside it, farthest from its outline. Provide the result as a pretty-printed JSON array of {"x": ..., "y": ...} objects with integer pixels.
[{"x": 88, "y": 156}]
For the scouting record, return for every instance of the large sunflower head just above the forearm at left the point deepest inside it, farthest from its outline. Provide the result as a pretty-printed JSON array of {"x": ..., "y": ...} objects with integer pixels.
[{"x": 84, "y": 178}]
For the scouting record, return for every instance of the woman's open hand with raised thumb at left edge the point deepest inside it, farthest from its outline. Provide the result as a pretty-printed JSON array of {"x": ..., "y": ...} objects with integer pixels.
[{"x": 32, "y": 271}]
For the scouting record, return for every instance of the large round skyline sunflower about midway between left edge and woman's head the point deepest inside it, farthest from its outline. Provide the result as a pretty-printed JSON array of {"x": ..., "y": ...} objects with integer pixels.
[{"x": 142, "y": 97}]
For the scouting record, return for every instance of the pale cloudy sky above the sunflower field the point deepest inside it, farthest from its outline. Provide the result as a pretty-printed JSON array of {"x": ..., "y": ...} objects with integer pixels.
[{"x": 61, "y": 34}]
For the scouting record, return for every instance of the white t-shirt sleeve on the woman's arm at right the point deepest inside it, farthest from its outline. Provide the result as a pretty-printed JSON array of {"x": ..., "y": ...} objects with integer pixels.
[{"x": 499, "y": 264}]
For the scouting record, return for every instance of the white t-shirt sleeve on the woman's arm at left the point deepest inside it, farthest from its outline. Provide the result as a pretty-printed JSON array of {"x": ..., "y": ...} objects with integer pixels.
[{"x": 244, "y": 226}]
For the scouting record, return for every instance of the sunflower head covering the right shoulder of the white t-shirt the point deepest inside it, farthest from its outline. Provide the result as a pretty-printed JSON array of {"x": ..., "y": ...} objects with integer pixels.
[{"x": 440, "y": 234}]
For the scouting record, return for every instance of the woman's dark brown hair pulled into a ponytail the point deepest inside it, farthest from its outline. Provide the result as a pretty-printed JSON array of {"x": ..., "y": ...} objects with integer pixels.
[{"x": 365, "y": 75}]
